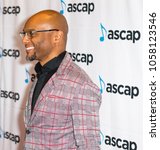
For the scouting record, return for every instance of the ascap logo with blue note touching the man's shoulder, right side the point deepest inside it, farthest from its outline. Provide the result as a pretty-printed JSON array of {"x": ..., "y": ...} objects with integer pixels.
[{"x": 127, "y": 90}]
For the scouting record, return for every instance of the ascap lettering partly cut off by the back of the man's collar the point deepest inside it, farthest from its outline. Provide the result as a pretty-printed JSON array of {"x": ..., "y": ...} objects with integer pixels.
[{"x": 81, "y": 57}]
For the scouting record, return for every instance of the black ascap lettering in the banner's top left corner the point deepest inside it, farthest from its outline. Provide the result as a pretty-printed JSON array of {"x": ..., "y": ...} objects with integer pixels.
[{"x": 11, "y": 10}]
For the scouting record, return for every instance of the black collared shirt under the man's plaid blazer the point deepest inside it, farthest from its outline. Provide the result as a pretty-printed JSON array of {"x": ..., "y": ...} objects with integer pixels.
[{"x": 43, "y": 75}]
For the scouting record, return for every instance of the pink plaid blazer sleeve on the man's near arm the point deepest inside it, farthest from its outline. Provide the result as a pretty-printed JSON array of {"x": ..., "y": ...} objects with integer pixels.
[{"x": 85, "y": 116}]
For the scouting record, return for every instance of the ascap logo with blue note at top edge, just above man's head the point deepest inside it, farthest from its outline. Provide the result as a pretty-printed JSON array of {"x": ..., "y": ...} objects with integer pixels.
[{"x": 77, "y": 7}]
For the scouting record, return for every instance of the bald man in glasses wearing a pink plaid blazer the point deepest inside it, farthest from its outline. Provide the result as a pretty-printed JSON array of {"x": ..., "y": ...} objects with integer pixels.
[{"x": 63, "y": 107}]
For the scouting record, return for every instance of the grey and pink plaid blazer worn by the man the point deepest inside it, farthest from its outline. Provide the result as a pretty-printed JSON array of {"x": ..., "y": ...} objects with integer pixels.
[{"x": 66, "y": 115}]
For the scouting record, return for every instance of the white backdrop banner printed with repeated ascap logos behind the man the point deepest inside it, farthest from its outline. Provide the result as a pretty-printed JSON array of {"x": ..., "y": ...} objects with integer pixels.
[{"x": 105, "y": 39}]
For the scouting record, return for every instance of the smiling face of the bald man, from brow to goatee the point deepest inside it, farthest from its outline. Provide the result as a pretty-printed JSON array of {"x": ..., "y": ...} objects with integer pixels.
[{"x": 38, "y": 44}]
